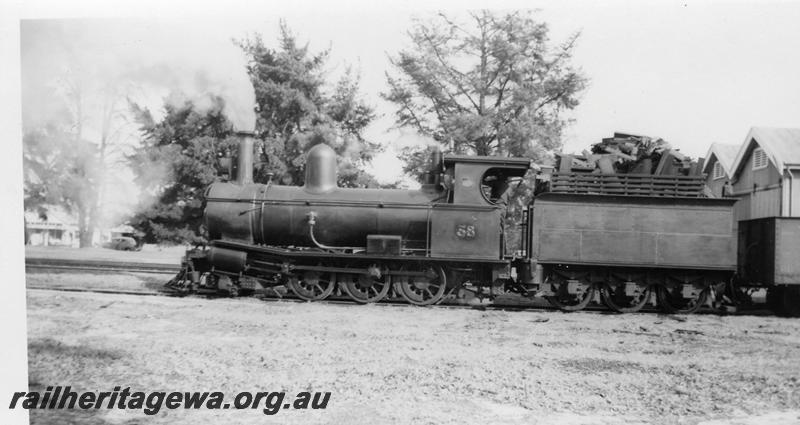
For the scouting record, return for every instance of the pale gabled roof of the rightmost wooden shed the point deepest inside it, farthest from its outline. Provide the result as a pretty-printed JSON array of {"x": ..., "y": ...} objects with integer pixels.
[{"x": 782, "y": 146}]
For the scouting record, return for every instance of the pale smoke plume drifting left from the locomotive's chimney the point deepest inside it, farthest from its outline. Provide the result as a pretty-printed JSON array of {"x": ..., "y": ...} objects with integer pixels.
[{"x": 111, "y": 61}]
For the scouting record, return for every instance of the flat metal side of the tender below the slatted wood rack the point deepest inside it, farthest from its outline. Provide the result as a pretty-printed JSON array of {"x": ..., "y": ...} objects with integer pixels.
[{"x": 634, "y": 231}]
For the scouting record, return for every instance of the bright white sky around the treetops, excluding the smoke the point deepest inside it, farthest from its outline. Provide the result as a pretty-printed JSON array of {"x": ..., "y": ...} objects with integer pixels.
[{"x": 690, "y": 72}]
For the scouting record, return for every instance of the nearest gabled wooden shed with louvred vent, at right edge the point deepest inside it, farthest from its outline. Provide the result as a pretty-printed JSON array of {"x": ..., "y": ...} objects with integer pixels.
[{"x": 766, "y": 174}]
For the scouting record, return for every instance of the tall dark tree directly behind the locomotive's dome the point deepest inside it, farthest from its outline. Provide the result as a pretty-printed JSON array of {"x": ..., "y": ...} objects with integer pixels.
[{"x": 296, "y": 112}]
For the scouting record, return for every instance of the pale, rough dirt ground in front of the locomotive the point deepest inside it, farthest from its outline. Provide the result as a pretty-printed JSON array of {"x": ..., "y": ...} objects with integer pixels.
[{"x": 404, "y": 364}]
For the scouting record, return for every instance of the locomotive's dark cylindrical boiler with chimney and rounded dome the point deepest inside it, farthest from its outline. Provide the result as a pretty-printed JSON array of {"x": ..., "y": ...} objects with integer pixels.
[{"x": 318, "y": 214}]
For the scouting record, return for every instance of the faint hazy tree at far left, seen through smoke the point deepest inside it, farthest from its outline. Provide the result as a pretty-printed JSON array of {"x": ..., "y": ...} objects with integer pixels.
[{"x": 82, "y": 117}]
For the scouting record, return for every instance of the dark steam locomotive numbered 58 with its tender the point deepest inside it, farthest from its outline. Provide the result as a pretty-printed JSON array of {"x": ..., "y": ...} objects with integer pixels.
[{"x": 625, "y": 241}]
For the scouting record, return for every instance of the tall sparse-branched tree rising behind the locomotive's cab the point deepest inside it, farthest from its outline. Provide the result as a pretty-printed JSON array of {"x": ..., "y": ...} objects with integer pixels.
[{"x": 492, "y": 85}]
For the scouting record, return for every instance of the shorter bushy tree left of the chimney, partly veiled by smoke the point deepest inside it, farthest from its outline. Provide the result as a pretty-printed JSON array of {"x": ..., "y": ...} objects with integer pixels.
[{"x": 177, "y": 160}]
